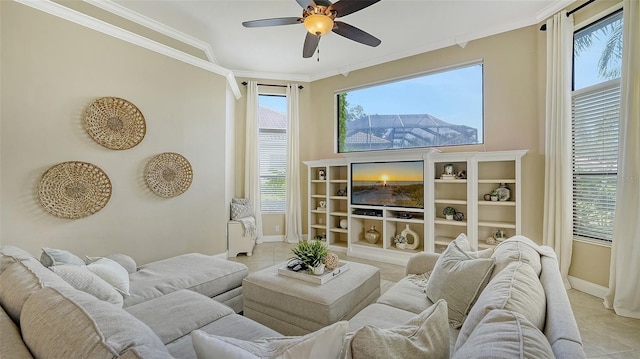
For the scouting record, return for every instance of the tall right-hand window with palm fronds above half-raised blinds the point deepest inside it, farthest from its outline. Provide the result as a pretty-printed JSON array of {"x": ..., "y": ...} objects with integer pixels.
[{"x": 595, "y": 126}]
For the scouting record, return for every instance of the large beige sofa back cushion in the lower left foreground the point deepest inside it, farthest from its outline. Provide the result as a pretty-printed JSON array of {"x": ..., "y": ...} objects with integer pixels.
[{"x": 67, "y": 323}]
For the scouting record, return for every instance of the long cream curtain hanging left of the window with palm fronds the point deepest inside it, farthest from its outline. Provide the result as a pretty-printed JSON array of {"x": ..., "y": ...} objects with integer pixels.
[{"x": 557, "y": 221}]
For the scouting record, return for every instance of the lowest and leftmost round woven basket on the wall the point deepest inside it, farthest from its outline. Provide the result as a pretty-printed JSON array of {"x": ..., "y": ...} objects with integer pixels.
[{"x": 74, "y": 189}]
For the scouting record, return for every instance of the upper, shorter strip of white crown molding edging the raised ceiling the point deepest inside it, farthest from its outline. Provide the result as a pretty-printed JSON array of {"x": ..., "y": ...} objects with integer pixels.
[{"x": 154, "y": 25}]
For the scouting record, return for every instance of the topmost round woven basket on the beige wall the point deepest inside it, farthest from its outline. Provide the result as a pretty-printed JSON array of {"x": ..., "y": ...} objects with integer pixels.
[{"x": 114, "y": 123}]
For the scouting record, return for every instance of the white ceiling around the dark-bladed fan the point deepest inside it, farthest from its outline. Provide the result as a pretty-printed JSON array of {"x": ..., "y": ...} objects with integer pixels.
[{"x": 406, "y": 27}]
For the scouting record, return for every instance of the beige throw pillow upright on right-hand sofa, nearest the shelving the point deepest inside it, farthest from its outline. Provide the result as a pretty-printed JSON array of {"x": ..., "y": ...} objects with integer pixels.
[{"x": 459, "y": 279}]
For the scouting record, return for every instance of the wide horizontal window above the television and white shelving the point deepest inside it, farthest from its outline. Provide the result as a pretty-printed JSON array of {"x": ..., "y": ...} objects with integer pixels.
[{"x": 436, "y": 109}]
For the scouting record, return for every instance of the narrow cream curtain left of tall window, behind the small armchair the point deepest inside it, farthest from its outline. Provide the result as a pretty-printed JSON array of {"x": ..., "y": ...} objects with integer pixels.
[{"x": 251, "y": 160}]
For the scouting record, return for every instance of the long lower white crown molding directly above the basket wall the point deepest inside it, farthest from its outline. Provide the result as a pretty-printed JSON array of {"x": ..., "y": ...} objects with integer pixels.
[{"x": 79, "y": 18}]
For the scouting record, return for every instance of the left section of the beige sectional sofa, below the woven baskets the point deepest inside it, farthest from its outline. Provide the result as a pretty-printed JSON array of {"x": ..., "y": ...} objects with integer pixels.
[{"x": 44, "y": 316}]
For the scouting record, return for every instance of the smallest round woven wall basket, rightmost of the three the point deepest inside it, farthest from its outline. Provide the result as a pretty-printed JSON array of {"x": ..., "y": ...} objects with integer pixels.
[{"x": 168, "y": 174}]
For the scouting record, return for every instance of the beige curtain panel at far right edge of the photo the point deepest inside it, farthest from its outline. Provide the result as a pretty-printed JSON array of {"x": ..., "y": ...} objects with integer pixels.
[{"x": 624, "y": 292}]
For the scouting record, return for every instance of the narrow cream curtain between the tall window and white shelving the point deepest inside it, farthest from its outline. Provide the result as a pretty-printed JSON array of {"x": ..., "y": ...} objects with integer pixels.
[{"x": 293, "y": 214}]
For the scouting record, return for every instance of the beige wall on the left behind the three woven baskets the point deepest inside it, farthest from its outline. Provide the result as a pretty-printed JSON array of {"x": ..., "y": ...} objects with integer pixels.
[{"x": 51, "y": 70}]
